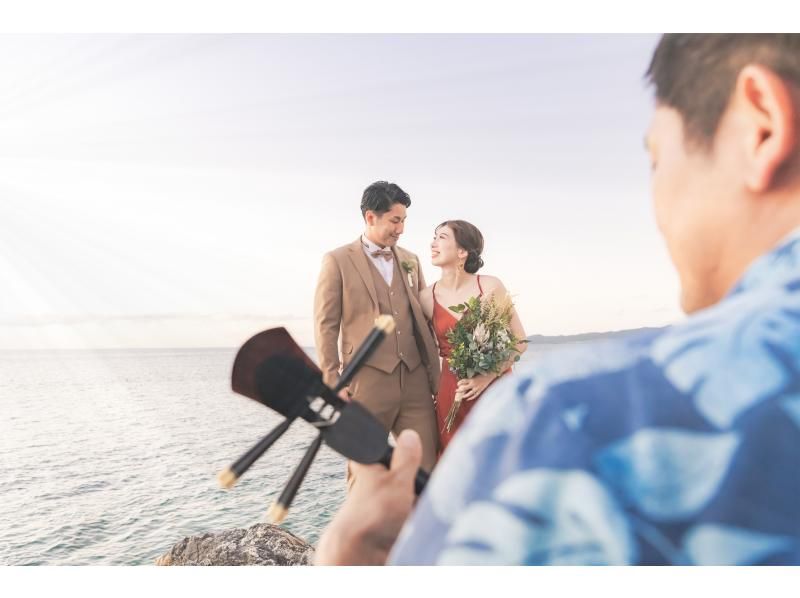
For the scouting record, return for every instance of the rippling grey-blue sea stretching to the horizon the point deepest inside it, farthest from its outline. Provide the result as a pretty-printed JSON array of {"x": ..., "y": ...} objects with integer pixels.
[{"x": 110, "y": 457}]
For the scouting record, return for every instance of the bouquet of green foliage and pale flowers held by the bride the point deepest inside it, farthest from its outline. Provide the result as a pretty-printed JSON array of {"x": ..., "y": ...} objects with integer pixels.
[{"x": 481, "y": 342}]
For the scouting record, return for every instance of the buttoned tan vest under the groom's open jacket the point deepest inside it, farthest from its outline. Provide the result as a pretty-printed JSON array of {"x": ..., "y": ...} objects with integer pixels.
[{"x": 402, "y": 346}]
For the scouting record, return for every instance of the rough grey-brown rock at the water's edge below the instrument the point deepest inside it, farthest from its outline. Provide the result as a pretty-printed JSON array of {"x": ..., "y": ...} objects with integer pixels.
[{"x": 262, "y": 544}]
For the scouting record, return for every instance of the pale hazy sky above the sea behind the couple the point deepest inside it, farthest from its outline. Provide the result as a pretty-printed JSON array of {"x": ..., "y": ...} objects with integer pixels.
[{"x": 180, "y": 190}]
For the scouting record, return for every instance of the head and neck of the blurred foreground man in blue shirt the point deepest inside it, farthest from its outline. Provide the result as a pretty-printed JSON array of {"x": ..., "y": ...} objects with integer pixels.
[{"x": 724, "y": 143}]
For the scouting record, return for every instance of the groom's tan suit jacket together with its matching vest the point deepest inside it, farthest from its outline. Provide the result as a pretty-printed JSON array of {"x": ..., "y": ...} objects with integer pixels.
[{"x": 350, "y": 295}]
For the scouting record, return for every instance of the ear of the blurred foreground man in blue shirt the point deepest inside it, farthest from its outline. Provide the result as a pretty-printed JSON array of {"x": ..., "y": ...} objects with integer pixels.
[{"x": 769, "y": 116}]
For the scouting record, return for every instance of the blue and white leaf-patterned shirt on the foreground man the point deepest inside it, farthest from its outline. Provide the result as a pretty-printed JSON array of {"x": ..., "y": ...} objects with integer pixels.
[{"x": 679, "y": 446}]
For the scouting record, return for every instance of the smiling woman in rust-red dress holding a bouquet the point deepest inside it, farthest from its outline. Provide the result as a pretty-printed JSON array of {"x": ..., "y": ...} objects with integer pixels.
[{"x": 456, "y": 248}]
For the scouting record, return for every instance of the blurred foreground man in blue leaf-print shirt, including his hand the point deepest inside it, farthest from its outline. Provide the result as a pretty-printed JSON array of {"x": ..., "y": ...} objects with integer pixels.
[{"x": 680, "y": 446}]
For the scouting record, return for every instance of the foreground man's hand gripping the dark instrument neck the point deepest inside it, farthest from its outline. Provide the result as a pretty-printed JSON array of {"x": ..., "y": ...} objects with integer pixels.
[{"x": 365, "y": 528}]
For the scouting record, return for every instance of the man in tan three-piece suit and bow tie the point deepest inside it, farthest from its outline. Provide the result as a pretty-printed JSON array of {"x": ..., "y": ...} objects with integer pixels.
[{"x": 360, "y": 281}]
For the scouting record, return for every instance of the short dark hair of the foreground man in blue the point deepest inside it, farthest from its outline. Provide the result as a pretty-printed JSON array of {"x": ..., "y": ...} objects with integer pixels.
[{"x": 695, "y": 73}]
